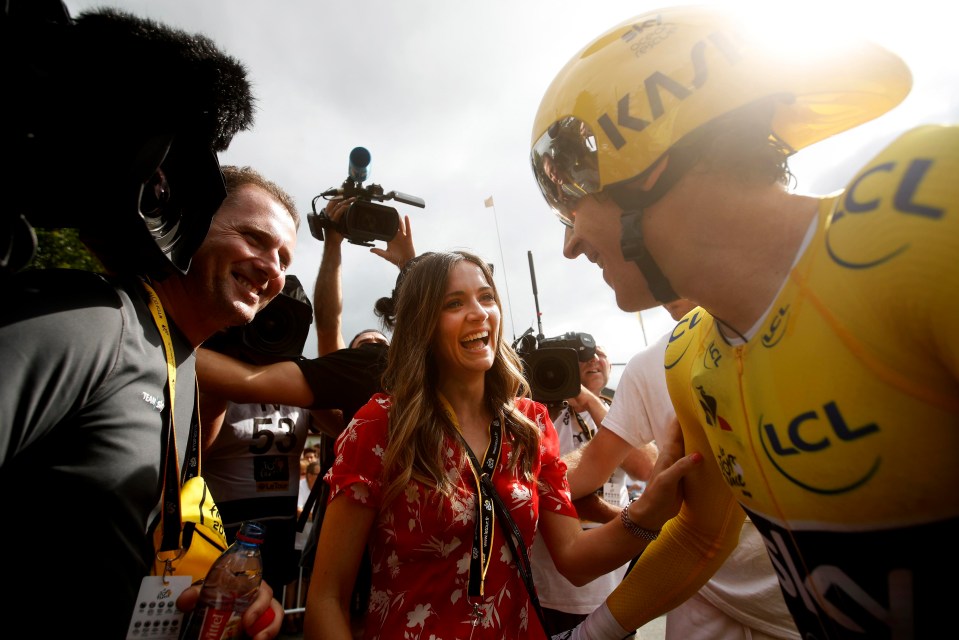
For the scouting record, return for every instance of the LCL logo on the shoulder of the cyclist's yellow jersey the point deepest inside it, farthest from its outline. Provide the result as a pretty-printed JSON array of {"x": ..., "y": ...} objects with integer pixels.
[{"x": 869, "y": 193}]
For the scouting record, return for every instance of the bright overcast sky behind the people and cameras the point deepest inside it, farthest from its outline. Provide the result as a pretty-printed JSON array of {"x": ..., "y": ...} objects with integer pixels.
[{"x": 443, "y": 94}]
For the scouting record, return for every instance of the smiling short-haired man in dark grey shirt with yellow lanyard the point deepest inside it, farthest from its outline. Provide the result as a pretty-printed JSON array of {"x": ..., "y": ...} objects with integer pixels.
[{"x": 85, "y": 388}]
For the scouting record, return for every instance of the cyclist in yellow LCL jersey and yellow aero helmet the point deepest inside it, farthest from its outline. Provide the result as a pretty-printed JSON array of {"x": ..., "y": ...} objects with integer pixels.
[{"x": 821, "y": 370}]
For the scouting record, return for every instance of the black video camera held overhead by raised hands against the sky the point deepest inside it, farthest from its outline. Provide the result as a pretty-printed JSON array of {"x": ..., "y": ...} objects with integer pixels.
[{"x": 365, "y": 220}]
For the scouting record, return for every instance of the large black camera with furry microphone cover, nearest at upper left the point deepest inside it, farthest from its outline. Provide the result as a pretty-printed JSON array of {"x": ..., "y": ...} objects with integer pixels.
[{"x": 142, "y": 181}]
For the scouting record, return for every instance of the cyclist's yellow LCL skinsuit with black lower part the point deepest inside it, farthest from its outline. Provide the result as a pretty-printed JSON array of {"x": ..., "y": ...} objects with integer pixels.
[{"x": 836, "y": 424}]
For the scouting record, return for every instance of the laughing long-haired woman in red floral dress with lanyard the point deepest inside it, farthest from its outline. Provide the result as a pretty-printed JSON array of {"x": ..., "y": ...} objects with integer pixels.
[{"x": 403, "y": 483}]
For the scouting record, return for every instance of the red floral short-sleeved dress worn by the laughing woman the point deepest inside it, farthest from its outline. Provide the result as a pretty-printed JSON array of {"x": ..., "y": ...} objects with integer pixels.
[{"x": 420, "y": 546}]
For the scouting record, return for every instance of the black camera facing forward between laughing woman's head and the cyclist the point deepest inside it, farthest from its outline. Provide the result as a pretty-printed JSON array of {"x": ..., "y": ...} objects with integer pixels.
[{"x": 551, "y": 365}]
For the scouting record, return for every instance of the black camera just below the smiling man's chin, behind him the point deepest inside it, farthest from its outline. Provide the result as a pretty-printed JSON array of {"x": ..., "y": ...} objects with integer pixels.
[{"x": 278, "y": 332}]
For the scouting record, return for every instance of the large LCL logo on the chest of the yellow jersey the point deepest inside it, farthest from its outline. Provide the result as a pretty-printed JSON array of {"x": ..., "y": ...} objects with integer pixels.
[{"x": 825, "y": 433}]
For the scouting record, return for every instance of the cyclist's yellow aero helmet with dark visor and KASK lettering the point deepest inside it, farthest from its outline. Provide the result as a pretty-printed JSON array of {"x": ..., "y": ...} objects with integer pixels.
[{"x": 621, "y": 102}]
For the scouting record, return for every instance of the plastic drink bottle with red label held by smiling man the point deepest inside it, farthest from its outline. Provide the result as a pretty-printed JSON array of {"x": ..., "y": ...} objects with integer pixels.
[{"x": 229, "y": 588}]
